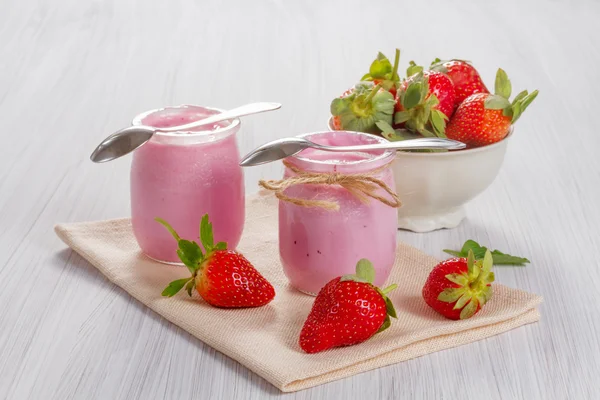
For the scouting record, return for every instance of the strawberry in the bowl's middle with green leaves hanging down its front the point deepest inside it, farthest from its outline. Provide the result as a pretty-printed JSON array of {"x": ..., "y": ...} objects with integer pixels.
[{"x": 425, "y": 102}]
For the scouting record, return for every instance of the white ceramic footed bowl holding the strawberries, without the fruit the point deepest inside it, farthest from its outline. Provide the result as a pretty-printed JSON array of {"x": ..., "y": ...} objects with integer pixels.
[{"x": 434, "y": 187}]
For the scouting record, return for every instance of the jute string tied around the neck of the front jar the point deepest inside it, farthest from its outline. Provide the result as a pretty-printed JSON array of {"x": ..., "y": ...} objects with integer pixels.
[{"x": 361, "y": 186}]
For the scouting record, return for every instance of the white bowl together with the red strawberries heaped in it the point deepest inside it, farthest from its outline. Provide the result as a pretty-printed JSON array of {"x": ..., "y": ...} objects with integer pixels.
[{"x": 449, "y": 100}]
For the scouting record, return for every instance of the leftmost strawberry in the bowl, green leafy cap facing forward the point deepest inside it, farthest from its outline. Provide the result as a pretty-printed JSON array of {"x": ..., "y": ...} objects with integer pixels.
[{"x": 363, "y": 108}]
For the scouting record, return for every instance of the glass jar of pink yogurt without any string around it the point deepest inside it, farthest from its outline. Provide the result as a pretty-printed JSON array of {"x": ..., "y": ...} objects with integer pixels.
[{"x": 180, "y": 176}]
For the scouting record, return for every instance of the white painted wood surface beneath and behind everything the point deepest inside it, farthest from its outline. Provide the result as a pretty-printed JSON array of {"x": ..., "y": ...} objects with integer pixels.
[{"x": 72, "y": 71}]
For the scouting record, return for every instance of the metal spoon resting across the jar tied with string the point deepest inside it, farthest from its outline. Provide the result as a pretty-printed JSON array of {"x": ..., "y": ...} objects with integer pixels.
[{"x": 282, "y": 148}]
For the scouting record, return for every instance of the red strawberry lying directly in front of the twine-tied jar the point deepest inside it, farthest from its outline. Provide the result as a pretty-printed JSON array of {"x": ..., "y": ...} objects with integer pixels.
[{"x": 348, "y": 310}]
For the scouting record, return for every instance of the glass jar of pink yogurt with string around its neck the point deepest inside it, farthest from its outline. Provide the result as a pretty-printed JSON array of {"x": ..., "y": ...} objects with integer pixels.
[{"x": 316, "y": 244}]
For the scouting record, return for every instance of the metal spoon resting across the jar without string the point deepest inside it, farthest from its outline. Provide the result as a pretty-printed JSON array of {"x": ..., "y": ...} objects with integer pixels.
[{"x": 128, "y": 139}]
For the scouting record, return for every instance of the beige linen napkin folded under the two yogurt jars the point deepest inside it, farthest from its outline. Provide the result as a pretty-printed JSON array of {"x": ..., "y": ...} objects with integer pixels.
[{"x": 265, "y": 339}]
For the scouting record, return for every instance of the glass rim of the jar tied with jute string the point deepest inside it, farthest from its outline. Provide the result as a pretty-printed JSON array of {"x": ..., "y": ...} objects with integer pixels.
[{"x": 362, "y": 164}]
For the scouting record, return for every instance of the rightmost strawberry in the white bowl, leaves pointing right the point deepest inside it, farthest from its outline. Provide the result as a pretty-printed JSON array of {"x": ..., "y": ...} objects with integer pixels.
[{"x": 484, "y": 118}]
